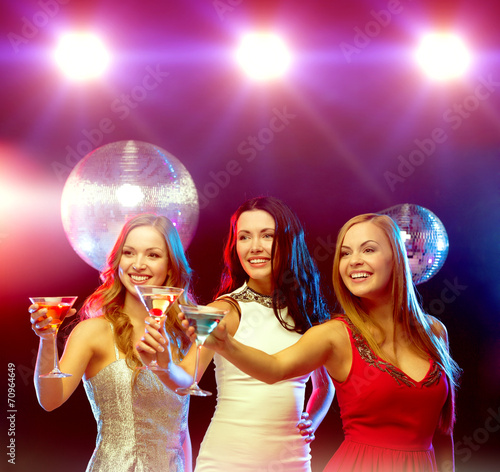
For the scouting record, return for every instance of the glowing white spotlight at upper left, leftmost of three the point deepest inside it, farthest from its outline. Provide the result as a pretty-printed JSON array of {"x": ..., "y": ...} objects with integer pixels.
[{"x": 81, "y": 56}]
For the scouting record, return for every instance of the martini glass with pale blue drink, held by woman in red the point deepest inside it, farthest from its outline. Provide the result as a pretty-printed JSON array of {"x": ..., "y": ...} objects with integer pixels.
[{"x": 204, "y": 319}]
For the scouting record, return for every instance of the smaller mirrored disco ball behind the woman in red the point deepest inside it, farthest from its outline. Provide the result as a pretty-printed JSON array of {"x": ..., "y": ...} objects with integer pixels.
[{"x": 425, "y": 239}]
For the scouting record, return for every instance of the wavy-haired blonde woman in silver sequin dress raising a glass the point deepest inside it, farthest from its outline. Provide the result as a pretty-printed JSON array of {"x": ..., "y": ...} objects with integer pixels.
[{"x": 142, "y": 424}]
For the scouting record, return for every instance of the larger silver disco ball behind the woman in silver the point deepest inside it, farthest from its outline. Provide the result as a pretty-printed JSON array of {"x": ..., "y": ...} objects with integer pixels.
[{"x": 118, "y": 181}]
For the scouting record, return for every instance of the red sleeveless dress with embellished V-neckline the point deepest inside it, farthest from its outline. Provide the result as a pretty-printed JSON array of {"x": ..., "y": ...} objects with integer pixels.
[{"x": 388, "y": 418}]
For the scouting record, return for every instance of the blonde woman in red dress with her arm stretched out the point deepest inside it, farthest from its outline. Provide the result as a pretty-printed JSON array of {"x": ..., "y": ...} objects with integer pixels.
[{"x": 389, "y": 361}]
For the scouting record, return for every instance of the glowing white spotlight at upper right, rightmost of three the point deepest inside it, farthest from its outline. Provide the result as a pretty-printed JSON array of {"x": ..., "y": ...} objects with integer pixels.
[{"x": 443, "y": 56}]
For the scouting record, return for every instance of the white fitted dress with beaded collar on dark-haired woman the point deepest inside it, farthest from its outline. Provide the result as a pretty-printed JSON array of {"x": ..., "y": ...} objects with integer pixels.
[{"x": 254, "y": 427}]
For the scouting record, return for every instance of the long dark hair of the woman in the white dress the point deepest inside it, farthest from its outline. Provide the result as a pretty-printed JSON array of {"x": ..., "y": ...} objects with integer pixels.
[{"x": 296, "y": 279}]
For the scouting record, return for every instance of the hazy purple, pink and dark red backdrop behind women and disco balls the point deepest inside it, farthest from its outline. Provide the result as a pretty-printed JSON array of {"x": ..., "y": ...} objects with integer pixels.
[{"x": 354, "y": 118}]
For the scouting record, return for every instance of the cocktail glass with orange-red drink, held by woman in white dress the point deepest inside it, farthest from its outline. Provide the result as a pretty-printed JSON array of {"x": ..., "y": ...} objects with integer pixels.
[{"x": 158, "y": 300}]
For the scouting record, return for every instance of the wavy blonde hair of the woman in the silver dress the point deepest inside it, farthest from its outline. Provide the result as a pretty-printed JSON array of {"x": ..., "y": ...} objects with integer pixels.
[{"x": 109, "y": 297}]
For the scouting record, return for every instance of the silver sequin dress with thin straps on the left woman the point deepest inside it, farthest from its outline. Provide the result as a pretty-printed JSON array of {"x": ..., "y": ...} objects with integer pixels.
[{"x": 139, "y": 428}]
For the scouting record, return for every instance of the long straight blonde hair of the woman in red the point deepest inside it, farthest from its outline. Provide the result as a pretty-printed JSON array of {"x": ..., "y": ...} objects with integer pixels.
[{"x": 418, "y": 328}]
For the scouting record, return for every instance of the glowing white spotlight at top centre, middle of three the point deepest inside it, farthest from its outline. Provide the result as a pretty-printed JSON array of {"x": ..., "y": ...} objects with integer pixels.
[{"x": 263, "y": 56}]
